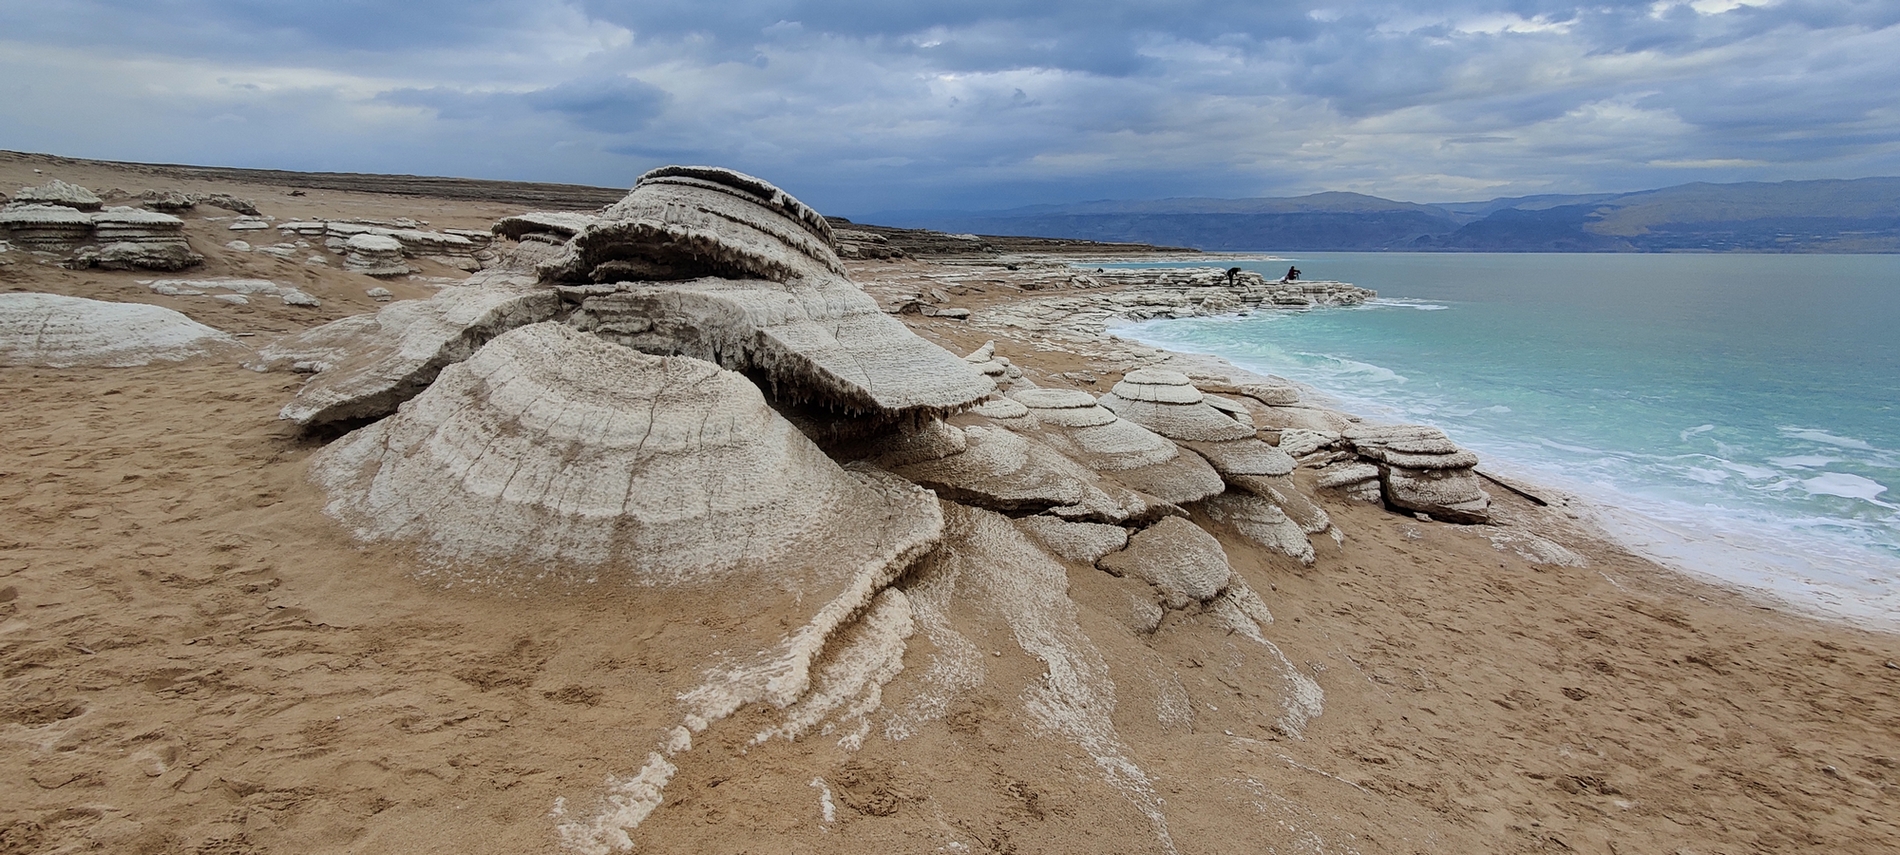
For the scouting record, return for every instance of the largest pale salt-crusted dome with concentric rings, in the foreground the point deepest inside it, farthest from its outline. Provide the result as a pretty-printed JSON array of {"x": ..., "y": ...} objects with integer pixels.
[{"x": 556, "y": 453}]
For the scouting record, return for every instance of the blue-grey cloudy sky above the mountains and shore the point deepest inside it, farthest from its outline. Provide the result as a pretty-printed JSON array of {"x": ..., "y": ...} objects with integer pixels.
[{"x": 886, "y": 105}]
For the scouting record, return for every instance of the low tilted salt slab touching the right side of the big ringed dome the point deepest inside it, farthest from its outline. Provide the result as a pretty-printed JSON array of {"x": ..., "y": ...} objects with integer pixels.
[{"x": 1014, "y": 474}]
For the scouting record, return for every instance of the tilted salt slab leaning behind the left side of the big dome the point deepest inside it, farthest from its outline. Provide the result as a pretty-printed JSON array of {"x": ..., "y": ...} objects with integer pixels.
[{"x": 371, "y": 364}]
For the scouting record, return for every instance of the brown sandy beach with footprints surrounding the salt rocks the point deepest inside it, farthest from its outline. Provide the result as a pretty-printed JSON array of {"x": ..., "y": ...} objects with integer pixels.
[{"x": 200, "y": 660}]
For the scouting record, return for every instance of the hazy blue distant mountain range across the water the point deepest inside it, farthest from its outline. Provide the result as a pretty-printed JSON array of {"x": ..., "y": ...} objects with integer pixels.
[{"x": 1859, "y": 216}]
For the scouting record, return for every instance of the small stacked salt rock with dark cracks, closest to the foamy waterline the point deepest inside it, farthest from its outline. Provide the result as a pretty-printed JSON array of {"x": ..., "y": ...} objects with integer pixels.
[{"x": 1424, "y": 472}]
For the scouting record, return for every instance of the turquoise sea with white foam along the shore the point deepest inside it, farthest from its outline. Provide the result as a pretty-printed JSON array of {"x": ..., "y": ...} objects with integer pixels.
[{"x": 1728, "y": 415}]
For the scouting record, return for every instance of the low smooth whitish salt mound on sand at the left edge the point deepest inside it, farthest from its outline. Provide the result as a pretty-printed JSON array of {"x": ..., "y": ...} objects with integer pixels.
[{"x": 71, "y": 332}]
